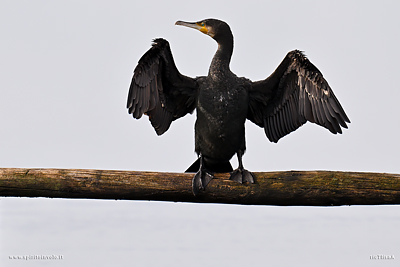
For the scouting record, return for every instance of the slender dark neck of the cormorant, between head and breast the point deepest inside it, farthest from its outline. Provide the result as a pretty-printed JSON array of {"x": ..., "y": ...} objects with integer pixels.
[{"x": 222, "y": 57}]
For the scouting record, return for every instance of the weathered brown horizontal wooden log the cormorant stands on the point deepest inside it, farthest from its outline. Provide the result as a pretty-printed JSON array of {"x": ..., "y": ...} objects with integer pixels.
[{"x": 289, "y": 188}]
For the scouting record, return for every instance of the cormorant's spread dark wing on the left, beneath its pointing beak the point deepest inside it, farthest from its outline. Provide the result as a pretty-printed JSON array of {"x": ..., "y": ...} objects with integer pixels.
[{"x": 159, "y": 90}]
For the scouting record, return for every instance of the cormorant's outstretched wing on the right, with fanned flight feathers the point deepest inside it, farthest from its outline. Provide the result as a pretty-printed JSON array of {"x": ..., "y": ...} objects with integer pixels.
[{"x": 295, "y": 93}]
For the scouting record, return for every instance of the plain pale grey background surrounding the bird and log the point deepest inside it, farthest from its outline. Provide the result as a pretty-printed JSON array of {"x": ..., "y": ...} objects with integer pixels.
[{"x": 65, "y": 70}]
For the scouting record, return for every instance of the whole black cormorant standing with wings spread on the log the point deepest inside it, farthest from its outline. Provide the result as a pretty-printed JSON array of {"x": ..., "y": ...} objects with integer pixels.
[{"x": 293, "y": 94}]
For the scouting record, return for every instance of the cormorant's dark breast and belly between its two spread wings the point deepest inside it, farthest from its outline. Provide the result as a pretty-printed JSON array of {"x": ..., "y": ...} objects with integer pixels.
[{"x": 221, "y": 113}]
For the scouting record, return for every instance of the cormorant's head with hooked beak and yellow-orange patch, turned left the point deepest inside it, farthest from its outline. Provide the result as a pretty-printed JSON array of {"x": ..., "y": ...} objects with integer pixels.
[{"x": 215, "y": 28}]
